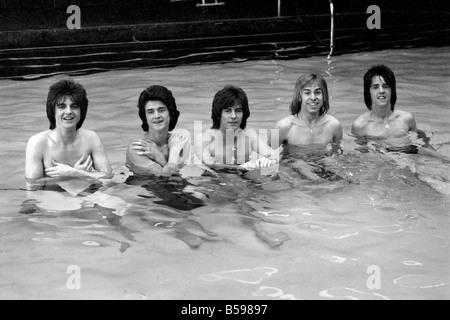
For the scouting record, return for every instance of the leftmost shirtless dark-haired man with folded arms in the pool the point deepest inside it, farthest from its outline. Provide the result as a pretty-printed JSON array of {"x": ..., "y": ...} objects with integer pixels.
[{"x": 65, "y": 150}]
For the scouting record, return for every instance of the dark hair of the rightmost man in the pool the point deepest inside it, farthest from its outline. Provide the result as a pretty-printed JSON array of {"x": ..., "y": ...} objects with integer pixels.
[{"x": 389, "y": 78}]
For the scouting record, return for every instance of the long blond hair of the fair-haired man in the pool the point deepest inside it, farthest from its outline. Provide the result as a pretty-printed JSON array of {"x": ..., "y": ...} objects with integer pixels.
[{"x": 304, "y": 81}]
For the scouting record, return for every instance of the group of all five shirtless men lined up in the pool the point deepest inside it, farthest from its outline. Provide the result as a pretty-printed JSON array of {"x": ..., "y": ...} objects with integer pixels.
[{"x": 67, "y": 150}]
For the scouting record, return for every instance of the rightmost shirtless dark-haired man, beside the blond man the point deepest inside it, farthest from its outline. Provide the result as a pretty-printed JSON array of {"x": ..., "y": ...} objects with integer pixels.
[{"x": 380, "y": 96}]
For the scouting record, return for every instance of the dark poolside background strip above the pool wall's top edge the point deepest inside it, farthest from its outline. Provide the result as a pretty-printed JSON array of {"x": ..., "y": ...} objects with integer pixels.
[{"x": 45, "y": 14}]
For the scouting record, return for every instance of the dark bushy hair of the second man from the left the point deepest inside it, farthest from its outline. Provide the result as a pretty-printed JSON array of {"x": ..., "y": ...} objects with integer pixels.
[{"x": 162, "y": 94}]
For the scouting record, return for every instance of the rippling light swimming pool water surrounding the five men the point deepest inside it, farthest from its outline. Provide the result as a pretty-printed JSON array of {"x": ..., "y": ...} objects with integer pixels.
[{"x": 229, "y": 237}]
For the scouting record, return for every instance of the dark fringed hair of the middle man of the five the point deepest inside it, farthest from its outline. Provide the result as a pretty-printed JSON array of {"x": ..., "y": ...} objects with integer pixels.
[{"x": 229, "y": 97}]
